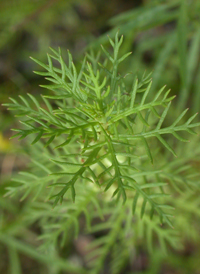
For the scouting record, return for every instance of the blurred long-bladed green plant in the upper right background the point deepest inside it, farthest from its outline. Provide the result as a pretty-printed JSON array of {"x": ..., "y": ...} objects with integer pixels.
[{"x": 165, "y": 37}]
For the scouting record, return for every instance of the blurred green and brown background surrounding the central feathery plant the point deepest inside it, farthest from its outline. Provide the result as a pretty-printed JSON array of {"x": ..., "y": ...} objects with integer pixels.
[{"x": 164, "y": 36}]
